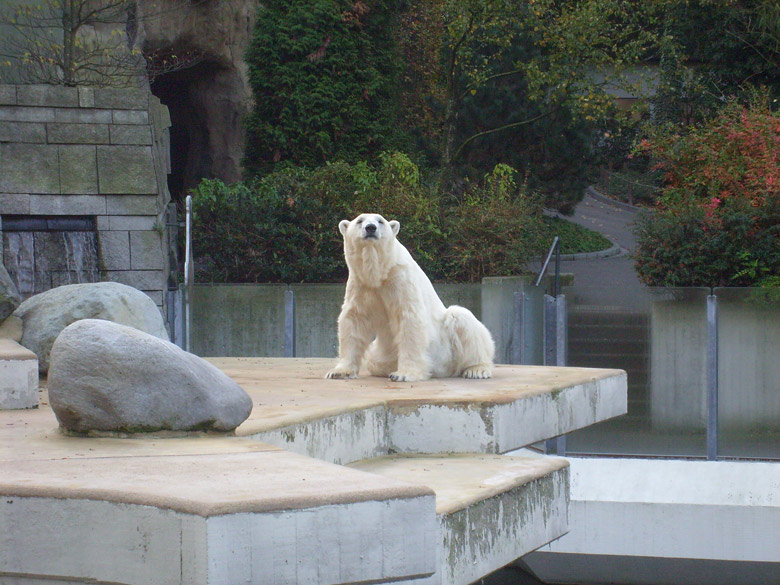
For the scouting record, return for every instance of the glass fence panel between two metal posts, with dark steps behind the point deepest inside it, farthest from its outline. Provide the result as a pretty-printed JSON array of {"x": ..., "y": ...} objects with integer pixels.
[{"x": 659, "y": 336}]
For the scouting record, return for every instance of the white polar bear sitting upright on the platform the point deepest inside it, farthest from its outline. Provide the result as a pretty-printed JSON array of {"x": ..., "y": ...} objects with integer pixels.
[{"x": 393, "y": 317}]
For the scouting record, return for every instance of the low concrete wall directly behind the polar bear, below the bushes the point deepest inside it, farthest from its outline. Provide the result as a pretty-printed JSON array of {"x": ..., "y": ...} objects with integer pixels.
[{"x": 249, "y": 319}]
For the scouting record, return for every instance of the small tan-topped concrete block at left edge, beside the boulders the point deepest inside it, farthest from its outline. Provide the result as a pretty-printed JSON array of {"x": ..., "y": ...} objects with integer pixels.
[{"x": 18, "y": 376}]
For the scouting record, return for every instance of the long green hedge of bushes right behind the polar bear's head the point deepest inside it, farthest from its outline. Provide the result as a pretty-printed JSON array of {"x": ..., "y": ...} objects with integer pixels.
[{"x": 283, "y": 227}]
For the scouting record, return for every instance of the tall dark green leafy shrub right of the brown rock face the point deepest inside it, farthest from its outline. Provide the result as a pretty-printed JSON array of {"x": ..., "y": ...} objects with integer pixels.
[{"x": 322, "y": 74}]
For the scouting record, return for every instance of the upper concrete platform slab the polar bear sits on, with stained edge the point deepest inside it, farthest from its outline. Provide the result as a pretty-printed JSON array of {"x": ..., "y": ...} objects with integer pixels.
[{"x": 349, "y": 420}]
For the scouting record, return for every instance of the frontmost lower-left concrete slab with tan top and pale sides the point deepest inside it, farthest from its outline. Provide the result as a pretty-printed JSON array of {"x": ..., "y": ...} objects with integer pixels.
[{"x": 200, "y": 511}]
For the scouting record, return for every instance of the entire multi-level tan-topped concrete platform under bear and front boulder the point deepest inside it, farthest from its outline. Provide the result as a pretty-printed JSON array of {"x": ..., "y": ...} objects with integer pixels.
[{"x": 211, "y": 510}]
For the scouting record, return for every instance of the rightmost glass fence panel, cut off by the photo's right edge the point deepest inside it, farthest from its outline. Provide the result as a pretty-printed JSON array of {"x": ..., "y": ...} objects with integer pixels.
[{"x": 749, "y": 372}]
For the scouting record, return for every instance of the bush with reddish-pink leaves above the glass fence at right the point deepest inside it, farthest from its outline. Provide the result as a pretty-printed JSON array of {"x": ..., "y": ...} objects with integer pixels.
[{"x": 718, "y": 223}]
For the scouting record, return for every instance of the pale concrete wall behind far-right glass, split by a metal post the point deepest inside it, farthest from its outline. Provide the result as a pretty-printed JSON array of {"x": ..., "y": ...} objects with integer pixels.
[{"x": 748, "y": 342}]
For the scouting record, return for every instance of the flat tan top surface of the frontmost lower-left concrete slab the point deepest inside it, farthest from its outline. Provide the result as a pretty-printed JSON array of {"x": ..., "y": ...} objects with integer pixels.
[{"x": 269, "y": 480}]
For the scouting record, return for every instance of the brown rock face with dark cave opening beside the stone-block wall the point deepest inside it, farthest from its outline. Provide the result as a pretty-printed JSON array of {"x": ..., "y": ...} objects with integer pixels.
[{"x": 209, "y": 100}]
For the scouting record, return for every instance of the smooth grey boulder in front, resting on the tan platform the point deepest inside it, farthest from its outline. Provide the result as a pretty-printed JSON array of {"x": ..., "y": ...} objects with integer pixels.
[{"x": 109, "y": 377}]
